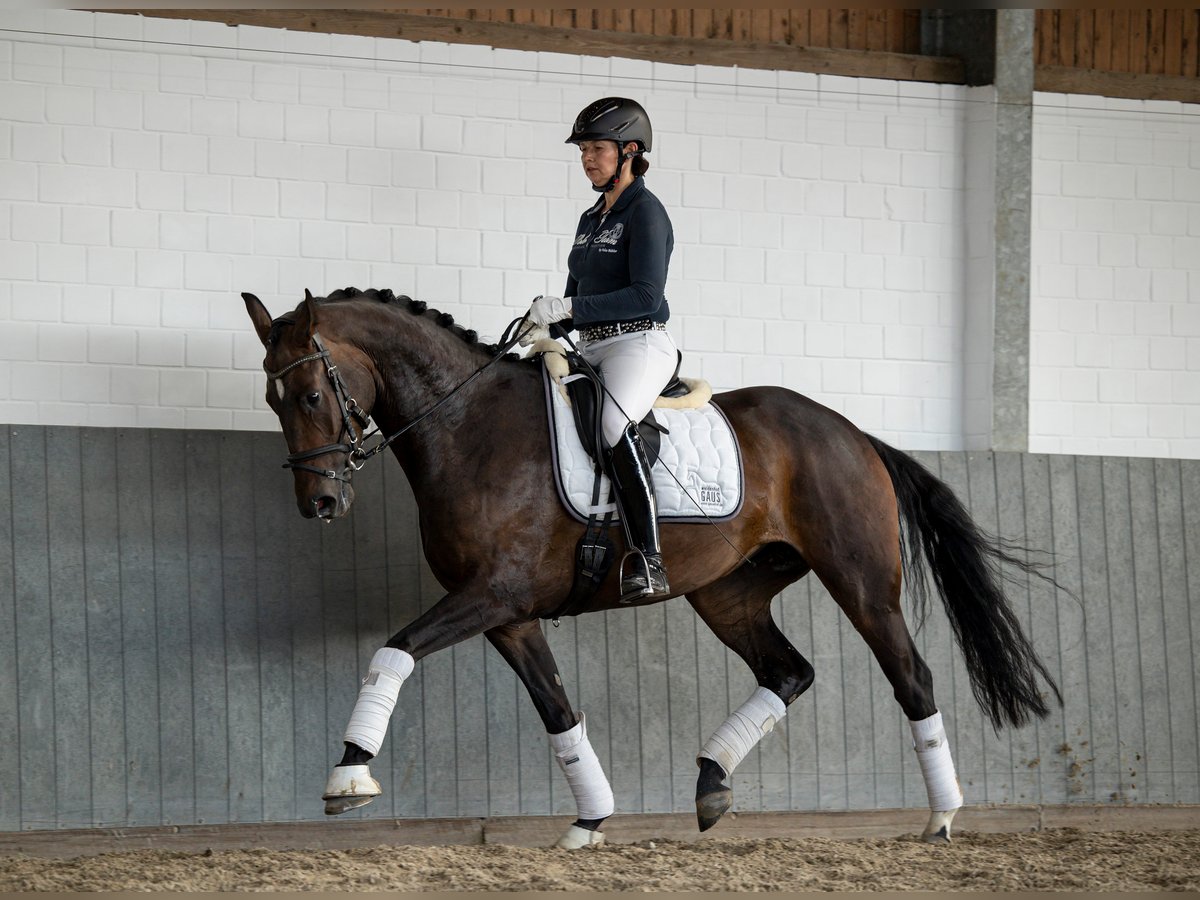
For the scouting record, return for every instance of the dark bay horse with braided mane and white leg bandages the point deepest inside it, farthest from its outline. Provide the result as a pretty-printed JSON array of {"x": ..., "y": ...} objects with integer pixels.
[{"x": 469, "y": 425}]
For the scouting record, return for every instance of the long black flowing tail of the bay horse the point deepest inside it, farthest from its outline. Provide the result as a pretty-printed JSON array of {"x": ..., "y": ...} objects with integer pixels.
[{"x": 967, "y": 565}]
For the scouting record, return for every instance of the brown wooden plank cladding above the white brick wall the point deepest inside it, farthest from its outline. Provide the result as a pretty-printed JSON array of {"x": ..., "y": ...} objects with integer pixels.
[{"x": 1150, "y": 55}]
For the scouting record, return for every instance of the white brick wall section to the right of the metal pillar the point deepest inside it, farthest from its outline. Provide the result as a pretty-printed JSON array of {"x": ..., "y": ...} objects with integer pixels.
[{"x": 1115, "y": 278}]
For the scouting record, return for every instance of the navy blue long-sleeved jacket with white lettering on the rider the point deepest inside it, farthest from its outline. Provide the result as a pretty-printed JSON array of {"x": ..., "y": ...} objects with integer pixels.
[{"x": 619, "y": 271}]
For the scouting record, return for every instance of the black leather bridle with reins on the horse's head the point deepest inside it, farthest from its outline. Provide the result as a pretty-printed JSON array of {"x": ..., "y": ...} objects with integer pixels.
[{"x": 351, "y": 441}]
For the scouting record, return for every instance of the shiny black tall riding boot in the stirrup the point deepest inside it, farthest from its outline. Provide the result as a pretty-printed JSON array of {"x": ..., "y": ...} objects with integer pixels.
[{"x": 645, "y": 577}]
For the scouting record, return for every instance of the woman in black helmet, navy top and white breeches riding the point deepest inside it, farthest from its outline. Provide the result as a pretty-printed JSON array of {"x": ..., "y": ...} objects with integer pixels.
[{"x": 615, "y": 297}]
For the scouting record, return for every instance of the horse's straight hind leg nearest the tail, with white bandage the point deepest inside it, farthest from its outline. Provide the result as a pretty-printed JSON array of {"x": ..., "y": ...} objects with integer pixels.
[{"x": 873, "y": 605}]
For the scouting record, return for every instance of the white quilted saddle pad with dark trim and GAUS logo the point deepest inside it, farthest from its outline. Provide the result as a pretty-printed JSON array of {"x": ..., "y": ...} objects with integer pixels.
[{"x": 698, "y": 477}]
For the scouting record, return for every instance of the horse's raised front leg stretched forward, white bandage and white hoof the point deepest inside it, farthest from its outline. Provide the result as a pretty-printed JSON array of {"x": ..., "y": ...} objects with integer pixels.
[{"x": 454, "y": 619}]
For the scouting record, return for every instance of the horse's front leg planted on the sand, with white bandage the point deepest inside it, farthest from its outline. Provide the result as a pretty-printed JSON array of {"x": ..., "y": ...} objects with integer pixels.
[{"x": 524, "y": 647}]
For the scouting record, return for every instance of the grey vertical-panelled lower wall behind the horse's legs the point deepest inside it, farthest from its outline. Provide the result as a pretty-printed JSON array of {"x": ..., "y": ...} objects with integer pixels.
[{"x": 181, "y": 647}]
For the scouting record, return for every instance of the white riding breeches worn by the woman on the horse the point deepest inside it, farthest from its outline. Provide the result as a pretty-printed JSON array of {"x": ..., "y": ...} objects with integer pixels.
[{"x": 635, "y": 370}]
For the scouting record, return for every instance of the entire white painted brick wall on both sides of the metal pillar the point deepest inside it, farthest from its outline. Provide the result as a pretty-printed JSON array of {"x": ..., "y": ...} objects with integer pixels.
[{"x": 829, "y": 230}]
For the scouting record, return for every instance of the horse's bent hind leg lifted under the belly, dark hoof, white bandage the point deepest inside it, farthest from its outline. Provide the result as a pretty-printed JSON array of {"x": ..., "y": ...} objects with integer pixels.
[{"x": 737, "y": 609}]
